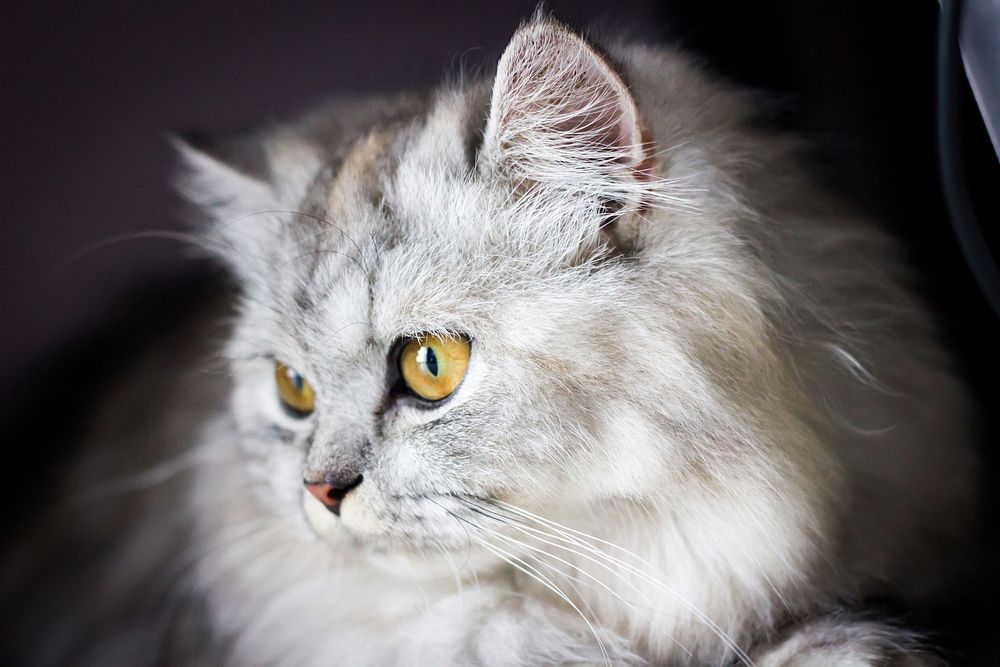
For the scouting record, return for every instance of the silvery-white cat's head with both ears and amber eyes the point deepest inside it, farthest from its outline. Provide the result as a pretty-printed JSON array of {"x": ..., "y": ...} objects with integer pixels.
[{"x": 496, "y": 294}]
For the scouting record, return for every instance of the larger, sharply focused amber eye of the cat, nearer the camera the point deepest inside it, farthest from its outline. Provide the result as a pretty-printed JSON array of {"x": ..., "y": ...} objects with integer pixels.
[{"x": 433, "y": 367}]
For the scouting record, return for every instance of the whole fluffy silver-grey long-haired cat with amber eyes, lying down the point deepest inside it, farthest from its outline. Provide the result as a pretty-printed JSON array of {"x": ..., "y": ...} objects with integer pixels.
[{"x": 572, "y": 364}]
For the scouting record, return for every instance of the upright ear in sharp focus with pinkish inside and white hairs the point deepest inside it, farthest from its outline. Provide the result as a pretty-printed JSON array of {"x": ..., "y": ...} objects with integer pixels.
[{"x": 561, "y": 117}]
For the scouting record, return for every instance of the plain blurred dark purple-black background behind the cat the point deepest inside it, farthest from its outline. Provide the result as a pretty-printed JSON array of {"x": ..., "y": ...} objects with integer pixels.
[{"x": 90, "y": 90}]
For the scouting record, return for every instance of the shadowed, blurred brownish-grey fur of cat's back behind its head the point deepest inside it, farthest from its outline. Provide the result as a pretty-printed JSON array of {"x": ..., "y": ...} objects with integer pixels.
[{"x": 846, "y": 314}]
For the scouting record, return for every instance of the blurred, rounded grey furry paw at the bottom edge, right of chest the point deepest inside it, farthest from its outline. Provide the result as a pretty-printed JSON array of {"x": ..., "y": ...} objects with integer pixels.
[{"x": 839, "y": 641}]
